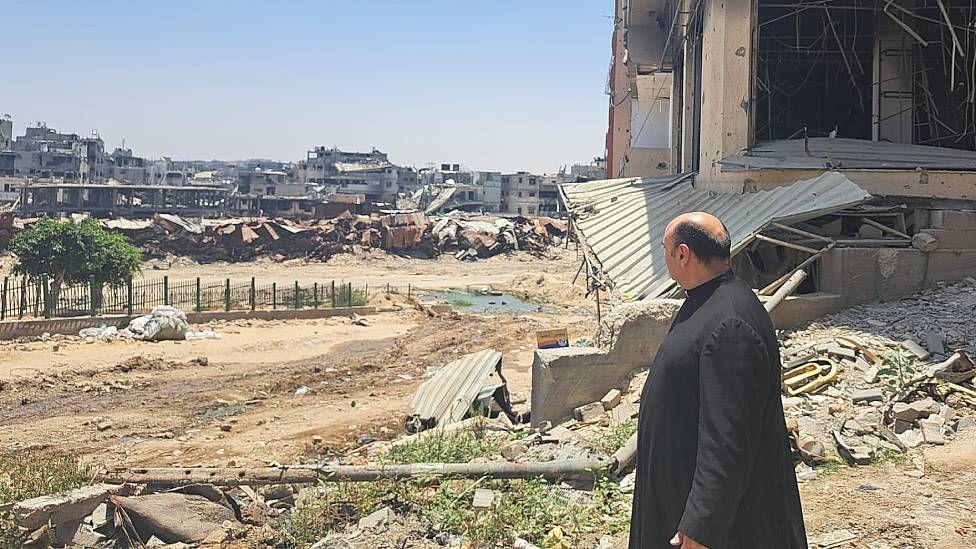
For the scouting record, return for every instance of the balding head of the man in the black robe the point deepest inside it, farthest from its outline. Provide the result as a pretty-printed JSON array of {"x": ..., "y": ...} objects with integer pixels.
[{"x": 697, "y": 248}]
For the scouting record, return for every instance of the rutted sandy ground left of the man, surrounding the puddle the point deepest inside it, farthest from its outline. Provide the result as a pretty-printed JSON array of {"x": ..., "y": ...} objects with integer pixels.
[{"x": 233, "y": 400}]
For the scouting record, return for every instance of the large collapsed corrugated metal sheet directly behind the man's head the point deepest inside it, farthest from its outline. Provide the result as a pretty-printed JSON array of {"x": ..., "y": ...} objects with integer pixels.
[{"x": 623, "y": 220}]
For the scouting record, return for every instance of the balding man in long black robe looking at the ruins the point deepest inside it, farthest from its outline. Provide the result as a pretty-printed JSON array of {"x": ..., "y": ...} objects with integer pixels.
[{"x": 713, "y": 459}]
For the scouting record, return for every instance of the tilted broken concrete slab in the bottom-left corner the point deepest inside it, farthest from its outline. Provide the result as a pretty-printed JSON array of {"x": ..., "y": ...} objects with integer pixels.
[{"x": 66, "y": 507}]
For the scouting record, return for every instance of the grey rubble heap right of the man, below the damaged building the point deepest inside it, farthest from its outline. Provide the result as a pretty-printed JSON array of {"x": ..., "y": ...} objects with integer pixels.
[{"x": 880, "y": 378}]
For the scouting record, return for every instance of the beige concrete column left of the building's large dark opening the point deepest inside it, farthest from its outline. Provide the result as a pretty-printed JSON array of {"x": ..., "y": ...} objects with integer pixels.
[{"x": 726, "y": 88}]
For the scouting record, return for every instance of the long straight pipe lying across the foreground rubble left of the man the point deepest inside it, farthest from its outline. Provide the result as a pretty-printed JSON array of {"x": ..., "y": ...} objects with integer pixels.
[{"x": 256, "y": 476}]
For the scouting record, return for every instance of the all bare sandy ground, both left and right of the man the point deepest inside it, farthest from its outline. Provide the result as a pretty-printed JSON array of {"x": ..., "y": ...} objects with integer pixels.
[{"x": 233, "y": 401}]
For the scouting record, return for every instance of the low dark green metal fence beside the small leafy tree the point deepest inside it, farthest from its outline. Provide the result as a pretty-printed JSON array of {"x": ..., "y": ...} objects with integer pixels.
[{"x": 33, "y": 298}]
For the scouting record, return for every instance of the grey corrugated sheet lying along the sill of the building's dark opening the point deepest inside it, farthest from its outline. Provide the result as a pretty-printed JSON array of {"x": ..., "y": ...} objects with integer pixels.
[{"x": 823, "y": 153}]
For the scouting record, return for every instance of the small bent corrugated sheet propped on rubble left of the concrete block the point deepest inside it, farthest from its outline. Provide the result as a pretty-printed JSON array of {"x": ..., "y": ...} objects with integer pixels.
[{"x": 448, "y": 395}]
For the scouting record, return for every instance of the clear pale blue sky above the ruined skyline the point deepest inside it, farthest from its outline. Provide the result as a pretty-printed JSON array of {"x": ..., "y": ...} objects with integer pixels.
[{"x": 494, "y": 84}]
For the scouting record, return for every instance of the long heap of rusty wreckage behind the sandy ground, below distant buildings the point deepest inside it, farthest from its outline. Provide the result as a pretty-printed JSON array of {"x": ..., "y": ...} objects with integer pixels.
[{"x": 409, "y": 233}]
